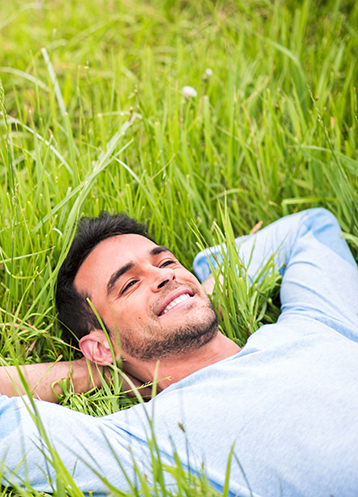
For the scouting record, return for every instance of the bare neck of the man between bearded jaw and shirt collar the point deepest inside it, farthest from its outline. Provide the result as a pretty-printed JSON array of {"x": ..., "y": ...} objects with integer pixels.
[{"x": 172, "y": 369}]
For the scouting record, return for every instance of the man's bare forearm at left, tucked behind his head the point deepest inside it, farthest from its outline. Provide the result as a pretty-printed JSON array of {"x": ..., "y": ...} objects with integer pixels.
[{"x": 42, "y": 378}]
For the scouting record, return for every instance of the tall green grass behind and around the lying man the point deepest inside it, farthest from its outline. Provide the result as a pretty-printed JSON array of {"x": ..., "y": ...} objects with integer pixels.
[{"x": 95, "y": 119}]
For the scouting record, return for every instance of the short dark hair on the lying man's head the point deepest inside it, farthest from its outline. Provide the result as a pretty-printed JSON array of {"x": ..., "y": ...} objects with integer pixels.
[{"x": 75, "y": 315}]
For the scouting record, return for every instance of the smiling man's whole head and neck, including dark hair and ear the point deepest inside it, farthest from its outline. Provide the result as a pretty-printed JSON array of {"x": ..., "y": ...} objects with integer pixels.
[{"x": 153, "y": 308}]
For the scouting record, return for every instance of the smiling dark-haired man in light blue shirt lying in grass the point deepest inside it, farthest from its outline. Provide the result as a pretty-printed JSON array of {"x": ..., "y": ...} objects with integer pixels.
[{"x": 287, "y": 402}]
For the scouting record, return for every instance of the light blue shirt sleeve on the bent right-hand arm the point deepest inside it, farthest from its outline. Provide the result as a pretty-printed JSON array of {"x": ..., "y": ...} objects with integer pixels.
[{"x": 320, "y": 277}]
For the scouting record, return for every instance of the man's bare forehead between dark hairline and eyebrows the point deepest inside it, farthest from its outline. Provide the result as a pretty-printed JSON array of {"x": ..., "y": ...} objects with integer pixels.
[{"x": 108, "y": 256}]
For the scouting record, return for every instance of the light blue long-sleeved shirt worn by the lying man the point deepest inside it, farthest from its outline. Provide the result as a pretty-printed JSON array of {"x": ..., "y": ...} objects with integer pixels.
[{"x": 288, "y": 402}]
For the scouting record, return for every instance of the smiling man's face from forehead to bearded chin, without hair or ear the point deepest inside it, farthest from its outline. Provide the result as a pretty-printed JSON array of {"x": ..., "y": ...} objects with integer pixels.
[{"x": 146, "y": 297}]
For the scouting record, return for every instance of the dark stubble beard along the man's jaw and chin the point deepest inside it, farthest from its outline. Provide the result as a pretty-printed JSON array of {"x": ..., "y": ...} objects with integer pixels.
[{"x": 186, "y": 338}]
